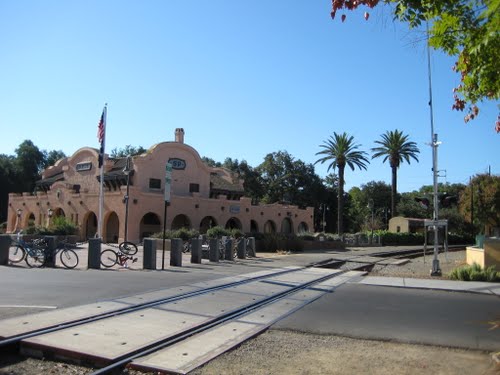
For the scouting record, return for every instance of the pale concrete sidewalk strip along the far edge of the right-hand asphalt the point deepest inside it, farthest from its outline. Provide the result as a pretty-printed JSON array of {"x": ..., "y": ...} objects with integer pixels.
[{"x": 450, "y": 285}]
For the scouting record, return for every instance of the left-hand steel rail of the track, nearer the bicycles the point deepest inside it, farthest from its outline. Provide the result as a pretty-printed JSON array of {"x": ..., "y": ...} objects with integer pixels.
[{"x": 129, "y": 309}]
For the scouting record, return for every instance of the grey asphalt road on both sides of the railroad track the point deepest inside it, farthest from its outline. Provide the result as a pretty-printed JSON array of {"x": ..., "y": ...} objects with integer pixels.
[{"x": 355, "y": 310}]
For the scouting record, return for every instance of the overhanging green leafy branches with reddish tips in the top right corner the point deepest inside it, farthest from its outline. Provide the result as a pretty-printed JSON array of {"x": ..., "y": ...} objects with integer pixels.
[{"x": 467, "y": 30}]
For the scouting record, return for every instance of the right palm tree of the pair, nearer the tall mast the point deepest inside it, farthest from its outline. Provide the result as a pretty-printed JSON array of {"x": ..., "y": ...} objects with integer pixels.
[{"x": 396, "y": 148}]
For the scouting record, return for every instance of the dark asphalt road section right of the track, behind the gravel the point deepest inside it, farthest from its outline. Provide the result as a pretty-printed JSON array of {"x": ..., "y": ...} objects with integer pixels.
[{"x": 455, "y": 319}]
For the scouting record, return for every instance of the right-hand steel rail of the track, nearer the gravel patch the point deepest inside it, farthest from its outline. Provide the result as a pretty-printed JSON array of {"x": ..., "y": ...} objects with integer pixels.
[{"x": 160, "y": 344}]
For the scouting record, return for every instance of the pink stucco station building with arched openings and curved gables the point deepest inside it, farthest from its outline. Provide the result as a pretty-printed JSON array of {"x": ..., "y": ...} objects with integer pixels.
[{"x": 201, "y": 196}]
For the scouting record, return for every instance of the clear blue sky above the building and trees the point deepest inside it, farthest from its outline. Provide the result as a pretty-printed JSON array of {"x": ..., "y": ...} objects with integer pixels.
[{"x": 244, "y": 79}]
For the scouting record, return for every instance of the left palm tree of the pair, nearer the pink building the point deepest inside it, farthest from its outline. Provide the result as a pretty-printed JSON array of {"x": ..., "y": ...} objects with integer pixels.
[{"x": 340, "y": 150}]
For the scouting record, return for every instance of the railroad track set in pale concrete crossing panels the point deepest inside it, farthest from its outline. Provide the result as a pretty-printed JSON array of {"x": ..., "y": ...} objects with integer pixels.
[{"x": 125, "y": 336}]
